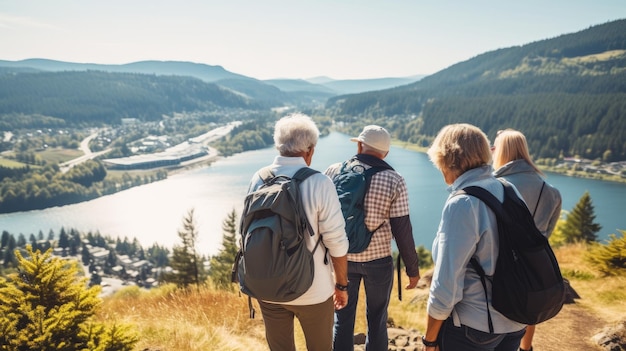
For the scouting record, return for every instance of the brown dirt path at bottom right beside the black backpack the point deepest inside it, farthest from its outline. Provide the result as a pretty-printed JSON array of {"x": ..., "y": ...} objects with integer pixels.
[{"x": 570, "y": 330}]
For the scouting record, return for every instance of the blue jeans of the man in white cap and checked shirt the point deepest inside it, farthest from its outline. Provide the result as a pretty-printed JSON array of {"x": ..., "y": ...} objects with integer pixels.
[{"x": 377, "y": 279}]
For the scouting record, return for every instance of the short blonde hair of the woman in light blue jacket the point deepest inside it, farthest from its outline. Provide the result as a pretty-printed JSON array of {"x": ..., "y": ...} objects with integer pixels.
[{"x": 460, "y": 147}]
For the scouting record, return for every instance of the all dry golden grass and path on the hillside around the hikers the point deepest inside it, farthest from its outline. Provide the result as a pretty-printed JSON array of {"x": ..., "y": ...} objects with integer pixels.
[{"x": 168, "y": 319}]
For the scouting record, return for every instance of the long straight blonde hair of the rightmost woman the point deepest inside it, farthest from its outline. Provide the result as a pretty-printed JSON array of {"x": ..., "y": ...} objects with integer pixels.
[{"x": 511, "y": 145}]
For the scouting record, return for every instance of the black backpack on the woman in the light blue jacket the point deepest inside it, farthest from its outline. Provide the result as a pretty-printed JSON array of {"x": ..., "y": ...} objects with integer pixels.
[{"x": 527, "y": 286}]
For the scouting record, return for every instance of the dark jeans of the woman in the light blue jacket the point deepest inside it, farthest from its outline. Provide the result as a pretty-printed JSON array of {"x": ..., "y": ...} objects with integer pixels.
[{"x": 464, "y": 338}]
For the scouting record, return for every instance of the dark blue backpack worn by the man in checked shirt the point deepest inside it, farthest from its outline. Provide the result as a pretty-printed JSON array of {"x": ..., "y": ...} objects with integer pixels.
[{"x": 352, "y": 183}]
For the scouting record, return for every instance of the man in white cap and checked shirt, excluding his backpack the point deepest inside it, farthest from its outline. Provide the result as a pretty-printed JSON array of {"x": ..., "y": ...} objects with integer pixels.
[{"x": 387, "y": 209}]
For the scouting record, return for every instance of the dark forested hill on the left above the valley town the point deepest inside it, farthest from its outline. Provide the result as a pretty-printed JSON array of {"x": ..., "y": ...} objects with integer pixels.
[{"x": 95, "y": 97}]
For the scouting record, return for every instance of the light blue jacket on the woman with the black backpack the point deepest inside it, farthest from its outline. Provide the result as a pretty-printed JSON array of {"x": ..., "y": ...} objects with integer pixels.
[{"x": 467, "y": 228}]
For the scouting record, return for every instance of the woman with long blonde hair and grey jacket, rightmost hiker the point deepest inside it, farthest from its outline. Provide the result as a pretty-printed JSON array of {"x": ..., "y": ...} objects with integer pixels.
[{"x": 511, "y": 161}]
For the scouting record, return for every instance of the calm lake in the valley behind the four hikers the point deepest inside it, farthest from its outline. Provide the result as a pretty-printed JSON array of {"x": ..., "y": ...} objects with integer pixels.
[{"x": 153, "y": 213}]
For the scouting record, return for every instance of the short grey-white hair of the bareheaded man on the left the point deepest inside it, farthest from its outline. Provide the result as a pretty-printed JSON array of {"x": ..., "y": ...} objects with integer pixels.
[{"x": 294, "y": 134}]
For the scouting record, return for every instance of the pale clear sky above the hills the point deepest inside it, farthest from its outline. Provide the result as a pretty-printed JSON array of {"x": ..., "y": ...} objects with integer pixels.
[{"x": 297, "y": 39}]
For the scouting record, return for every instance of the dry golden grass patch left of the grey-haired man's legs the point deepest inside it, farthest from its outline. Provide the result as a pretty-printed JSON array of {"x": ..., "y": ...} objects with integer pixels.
[{"x": 169, "y": 319}]
